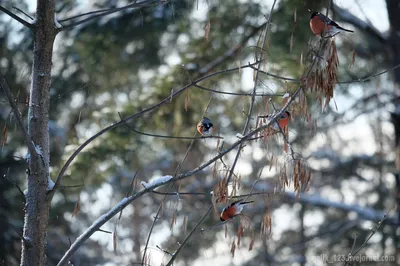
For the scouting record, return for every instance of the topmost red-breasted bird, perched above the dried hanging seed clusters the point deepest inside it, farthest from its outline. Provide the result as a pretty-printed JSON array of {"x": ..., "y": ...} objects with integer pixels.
[{"x": 317, "y": 24}]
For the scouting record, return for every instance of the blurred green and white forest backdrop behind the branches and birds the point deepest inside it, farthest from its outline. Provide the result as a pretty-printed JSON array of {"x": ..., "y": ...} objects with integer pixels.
[{"x": 130, "y": 60}]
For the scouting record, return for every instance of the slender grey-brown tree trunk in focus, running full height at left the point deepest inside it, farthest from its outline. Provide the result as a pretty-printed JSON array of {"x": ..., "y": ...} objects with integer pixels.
[{"x": 37, "y": 202}]
